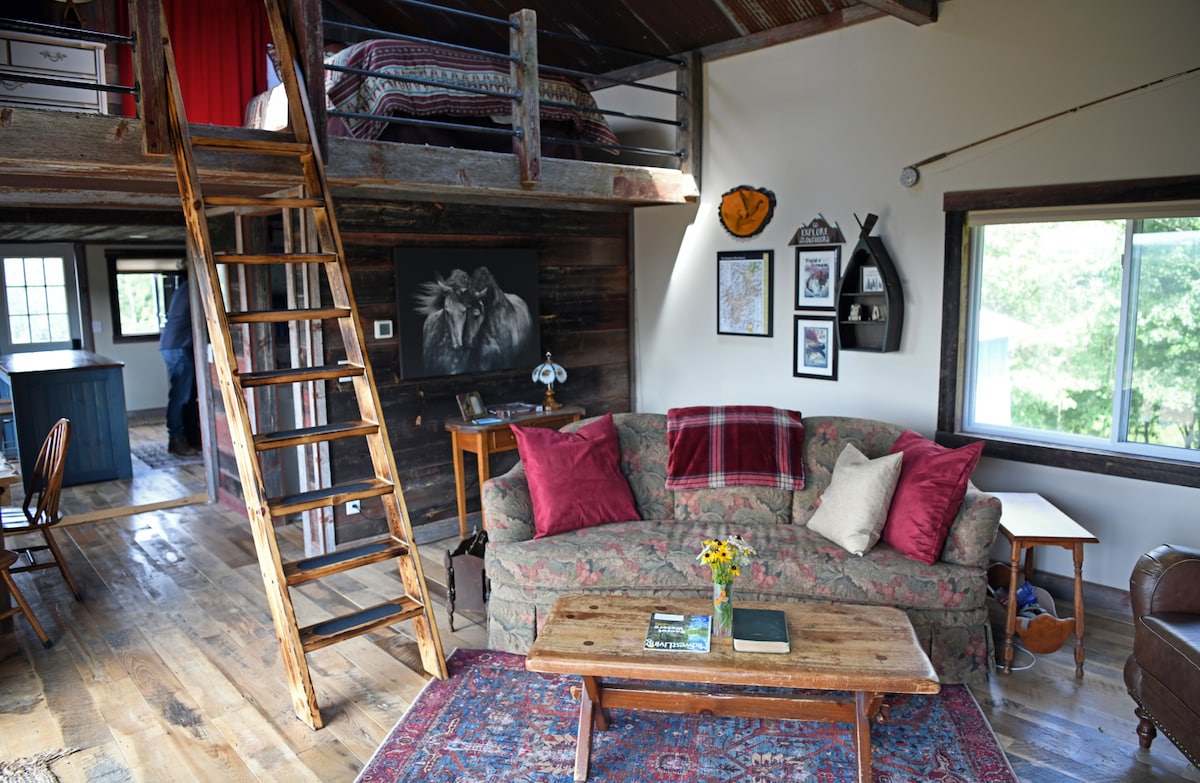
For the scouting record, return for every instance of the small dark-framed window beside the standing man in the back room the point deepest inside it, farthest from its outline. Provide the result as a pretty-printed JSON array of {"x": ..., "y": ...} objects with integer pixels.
[{"x": 140, "y": 291}]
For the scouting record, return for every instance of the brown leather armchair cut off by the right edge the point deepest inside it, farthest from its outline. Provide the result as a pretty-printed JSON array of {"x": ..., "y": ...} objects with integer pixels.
[{"x": 1163, "y": 673}]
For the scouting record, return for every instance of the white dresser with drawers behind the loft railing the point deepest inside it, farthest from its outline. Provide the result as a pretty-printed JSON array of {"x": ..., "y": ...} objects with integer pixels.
[{"x": 57, "y": 59}]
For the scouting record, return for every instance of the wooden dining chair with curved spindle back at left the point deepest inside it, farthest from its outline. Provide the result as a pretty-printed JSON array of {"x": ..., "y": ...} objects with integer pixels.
[{"x": 40, "y": 512}]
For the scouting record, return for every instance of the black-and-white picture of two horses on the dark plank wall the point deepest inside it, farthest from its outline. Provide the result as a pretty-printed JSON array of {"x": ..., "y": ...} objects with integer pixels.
[{"x": 466, "y": 310}]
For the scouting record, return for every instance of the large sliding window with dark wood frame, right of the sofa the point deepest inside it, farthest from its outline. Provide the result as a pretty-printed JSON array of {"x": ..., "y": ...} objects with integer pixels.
[{"x": 1072, "y": 333}]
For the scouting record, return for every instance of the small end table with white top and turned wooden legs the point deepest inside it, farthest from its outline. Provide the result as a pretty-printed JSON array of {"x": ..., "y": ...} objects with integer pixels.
[{"x": 1028, "y": 521}]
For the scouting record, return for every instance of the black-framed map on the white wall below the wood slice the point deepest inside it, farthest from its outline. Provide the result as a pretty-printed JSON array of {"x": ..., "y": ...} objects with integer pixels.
[{"x": 745, "y": 292}]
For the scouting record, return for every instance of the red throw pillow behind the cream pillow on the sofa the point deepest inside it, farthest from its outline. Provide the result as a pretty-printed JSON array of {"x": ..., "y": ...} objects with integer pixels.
[{"x": 933, "y": 483}]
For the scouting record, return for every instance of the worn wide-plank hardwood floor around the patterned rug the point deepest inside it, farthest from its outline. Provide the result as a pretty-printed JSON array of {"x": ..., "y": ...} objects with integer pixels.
[{"x": 169, "y": 671}]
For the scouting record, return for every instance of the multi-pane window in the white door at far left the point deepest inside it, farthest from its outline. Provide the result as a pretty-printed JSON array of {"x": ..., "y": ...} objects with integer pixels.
[{"x": 39, "y": 301}]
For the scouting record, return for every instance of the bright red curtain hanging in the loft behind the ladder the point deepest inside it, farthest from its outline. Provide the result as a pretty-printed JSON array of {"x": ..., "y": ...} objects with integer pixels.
[{"x": 221, "y": 56}]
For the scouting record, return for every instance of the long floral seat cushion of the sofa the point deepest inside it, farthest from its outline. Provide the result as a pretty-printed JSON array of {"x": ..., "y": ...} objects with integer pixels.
[{"x": 659, "y": 558}]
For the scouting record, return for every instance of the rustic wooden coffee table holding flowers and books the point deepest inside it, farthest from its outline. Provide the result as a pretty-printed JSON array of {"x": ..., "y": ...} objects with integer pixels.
[{"x": 866, "y": 650}]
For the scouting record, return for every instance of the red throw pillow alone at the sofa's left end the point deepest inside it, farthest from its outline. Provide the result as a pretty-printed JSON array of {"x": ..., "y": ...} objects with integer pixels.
[{"x": 575, "y": 479}]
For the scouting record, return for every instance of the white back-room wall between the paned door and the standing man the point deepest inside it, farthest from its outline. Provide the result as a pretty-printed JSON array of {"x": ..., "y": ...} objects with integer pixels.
[{"x": 145, "y": 374}]
